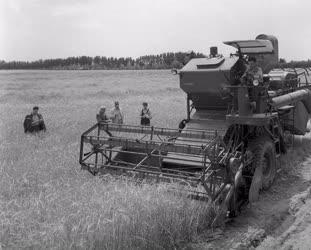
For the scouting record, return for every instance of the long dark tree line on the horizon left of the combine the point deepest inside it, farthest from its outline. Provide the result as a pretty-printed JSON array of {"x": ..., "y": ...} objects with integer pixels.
[{"x": 161, "y": 61}]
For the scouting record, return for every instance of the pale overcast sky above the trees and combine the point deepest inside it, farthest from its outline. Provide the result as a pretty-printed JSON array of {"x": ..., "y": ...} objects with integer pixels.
[{"x": 34, "y": 29}]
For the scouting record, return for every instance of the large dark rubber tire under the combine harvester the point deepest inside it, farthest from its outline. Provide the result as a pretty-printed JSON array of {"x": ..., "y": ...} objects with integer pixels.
[{"x": 263, "y": 149}]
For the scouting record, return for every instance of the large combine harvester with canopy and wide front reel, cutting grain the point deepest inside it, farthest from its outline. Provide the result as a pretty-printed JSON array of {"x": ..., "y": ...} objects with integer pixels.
[{"x": 227, "y": 150}]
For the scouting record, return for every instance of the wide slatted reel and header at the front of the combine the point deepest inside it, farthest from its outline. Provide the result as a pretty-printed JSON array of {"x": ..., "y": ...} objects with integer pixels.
[{"x": 200, "y": 159}]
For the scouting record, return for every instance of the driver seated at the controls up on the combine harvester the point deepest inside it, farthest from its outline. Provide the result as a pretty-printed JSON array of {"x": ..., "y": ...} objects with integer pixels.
[{"x": 253, "y": 74}]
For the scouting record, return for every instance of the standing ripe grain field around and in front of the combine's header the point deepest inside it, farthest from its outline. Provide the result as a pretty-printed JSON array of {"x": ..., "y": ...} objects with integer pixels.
[{"x": 47, "y": 202}]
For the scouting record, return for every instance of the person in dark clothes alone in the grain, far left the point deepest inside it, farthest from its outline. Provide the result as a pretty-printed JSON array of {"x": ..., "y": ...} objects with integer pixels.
[{"x": 34, "y": 122}]
